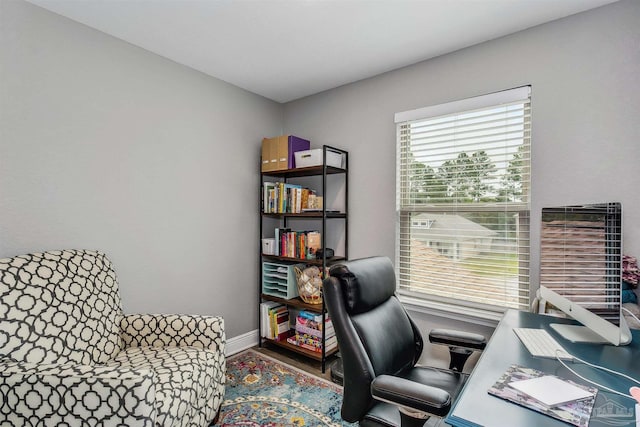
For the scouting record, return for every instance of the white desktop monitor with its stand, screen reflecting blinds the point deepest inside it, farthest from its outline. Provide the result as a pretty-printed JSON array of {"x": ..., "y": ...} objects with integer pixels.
[{"x": 581, "y": 270}]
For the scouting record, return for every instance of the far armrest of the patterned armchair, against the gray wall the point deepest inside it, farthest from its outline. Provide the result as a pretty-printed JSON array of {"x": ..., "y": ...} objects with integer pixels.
[{"x": 160, "y": 330}]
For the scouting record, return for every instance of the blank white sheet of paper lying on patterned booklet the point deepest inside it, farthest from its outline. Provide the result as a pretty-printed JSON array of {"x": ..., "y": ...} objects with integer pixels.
[{"x": 551, "y": 391}]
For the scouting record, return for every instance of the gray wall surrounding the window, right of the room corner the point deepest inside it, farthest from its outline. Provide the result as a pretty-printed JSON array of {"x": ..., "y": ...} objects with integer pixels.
[{"x": 585, "y": 77}]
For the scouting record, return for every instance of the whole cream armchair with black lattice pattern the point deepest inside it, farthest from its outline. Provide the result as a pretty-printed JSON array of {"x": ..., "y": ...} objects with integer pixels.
[{"x": 69, "y": 356}]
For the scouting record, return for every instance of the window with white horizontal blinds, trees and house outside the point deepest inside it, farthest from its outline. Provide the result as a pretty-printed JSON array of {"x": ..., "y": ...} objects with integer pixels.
[{"x": 463, "y": 201}]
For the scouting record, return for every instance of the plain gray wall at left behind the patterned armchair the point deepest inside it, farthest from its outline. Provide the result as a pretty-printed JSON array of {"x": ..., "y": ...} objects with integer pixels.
[{"x": 106, "y": 146}]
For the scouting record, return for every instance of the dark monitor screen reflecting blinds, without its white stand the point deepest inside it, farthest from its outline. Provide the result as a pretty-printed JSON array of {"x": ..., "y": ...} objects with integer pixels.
[{"x": 581, "y": 257}]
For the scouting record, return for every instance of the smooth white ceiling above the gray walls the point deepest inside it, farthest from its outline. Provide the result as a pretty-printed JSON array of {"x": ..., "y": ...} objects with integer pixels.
[{"x": 288, "y": 49}]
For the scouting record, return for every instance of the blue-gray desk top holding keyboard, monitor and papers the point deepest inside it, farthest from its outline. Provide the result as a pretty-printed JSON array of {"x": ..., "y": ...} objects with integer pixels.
[{"x": 476, "y": 407}]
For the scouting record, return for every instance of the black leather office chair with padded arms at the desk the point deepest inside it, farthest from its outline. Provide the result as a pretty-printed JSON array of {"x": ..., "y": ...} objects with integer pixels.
[{"x": 380, "y": 346}]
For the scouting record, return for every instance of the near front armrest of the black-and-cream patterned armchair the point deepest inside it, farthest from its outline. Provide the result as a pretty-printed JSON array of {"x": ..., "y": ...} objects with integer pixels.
[{"x": 76, "y": 395}]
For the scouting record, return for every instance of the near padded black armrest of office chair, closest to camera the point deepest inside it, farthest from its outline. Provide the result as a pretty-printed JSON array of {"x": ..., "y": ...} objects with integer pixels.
[{"x": 410, "y": 395}]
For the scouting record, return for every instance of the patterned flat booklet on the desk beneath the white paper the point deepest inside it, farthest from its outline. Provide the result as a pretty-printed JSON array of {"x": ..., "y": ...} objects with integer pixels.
[{"x": 512, "y": 386}]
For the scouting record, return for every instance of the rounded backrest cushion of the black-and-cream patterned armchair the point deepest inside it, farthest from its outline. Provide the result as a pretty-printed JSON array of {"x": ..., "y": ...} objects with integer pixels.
[{"x": 59, "y": 307}]
